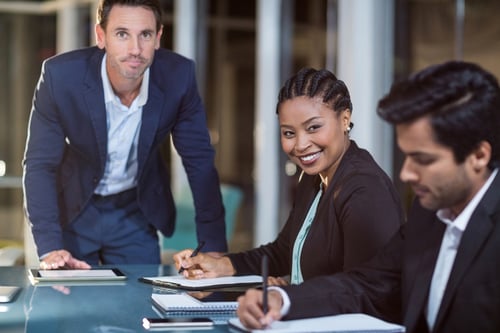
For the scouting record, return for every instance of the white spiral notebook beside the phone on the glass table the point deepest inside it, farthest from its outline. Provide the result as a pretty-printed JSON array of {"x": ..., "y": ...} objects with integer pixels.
[{"x": 183, "y": 303}]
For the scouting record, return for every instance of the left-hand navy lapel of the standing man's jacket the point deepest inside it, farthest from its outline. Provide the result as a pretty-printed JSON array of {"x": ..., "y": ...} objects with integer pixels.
[{"x": 94, "y": 97}]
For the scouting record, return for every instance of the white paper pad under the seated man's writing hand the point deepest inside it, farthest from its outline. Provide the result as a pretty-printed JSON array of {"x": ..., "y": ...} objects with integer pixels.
[{"x": 354, "y": 322}]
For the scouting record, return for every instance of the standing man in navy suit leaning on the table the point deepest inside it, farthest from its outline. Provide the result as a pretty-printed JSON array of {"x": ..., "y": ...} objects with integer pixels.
[{"x": 95, "y": 184}]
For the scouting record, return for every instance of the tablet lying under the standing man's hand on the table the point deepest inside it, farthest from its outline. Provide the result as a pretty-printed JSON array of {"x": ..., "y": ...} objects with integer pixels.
[{"x": 72, "y": 275}]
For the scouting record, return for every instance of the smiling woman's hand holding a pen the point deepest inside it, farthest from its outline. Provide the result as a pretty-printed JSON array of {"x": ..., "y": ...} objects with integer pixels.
[{"x": 203, "y": 265}]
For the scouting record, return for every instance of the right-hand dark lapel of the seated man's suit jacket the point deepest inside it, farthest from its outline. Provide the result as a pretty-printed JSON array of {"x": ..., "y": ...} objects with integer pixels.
[{"x": 475, "y": 235}]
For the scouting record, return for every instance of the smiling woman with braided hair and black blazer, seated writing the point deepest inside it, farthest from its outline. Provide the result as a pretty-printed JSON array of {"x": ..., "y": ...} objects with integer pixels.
[{"x": 345, "y": 206}]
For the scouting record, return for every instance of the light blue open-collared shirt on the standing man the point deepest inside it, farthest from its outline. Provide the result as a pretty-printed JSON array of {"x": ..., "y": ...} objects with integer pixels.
[{"x": 123, "y": 124}]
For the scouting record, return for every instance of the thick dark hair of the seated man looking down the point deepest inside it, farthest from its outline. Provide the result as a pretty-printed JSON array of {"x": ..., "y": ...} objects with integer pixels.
[{"x": 462, "y": 101}]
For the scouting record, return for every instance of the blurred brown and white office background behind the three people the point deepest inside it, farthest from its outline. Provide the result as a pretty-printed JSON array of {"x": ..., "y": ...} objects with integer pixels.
[{"x": 244, "y": 50}]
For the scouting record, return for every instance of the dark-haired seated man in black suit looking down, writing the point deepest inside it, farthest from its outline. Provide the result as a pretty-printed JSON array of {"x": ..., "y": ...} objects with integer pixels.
[{"x": 440, "y": 273}]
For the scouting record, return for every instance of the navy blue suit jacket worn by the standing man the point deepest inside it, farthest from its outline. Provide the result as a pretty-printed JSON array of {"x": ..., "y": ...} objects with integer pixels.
[{"x": 67, "y": 144}]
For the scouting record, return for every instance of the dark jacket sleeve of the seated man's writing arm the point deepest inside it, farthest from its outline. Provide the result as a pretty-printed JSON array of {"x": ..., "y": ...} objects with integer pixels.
[{"x": 373, "y": 288}]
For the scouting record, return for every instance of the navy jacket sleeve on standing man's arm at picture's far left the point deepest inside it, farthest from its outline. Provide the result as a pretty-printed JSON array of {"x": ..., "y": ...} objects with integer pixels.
[{"x": 44, "y": 152}]
